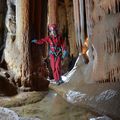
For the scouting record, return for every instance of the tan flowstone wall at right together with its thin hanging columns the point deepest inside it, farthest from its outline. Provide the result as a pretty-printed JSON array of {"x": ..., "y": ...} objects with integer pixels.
[{"x": 98, "y": 21}]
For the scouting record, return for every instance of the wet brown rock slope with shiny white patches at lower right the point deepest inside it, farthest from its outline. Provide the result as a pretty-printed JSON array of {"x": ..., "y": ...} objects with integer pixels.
[{"x": 101, "y": 98}]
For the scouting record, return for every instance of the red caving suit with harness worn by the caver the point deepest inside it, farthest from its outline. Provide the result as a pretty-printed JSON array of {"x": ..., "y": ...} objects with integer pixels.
[{"x": 57, "y": 46}]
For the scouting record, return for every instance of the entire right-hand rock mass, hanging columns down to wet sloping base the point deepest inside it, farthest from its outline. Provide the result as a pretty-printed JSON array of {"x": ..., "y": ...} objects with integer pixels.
[{"x": 93, "y": 81}]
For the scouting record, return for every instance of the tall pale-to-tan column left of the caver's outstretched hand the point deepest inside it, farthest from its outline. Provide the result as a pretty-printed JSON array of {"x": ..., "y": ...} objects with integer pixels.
[{"x": 23, "y": 38}]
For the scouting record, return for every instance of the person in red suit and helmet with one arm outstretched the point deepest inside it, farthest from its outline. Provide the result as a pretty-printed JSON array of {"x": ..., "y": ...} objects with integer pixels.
[{"x": 57, "y": 51}]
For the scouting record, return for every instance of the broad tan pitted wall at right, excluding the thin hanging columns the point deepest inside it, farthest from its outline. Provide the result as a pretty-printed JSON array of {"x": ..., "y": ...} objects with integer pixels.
[{"x": 103, "y": 29}]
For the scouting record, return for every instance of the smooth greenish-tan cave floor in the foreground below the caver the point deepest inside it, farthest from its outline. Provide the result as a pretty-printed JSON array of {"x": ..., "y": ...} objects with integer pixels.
[{"x": 50, "y": 107}]
